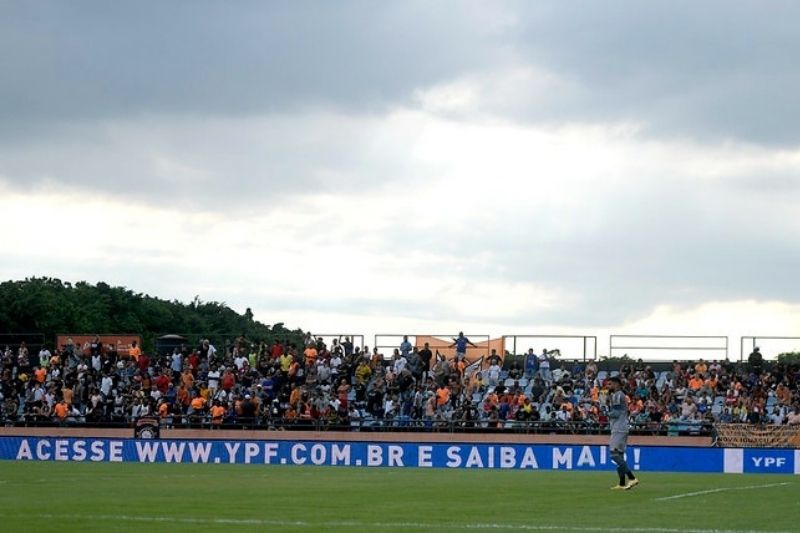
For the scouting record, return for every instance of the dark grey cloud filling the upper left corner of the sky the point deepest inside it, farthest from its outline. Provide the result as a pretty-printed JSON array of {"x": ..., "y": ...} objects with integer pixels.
[{"x": 85, "y": 60}]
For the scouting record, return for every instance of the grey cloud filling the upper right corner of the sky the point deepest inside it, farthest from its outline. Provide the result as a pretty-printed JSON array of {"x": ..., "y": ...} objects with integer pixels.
[{"x": 709, "y": 70}]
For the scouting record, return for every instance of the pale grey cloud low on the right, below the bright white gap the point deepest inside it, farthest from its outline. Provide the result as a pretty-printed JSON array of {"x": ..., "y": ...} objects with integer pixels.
[{"x": 662, "y": 241}]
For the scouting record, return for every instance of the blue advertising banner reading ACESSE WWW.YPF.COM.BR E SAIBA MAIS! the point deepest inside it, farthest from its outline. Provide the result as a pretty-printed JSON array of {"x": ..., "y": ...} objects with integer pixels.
[{"x": 456, "y": 455}]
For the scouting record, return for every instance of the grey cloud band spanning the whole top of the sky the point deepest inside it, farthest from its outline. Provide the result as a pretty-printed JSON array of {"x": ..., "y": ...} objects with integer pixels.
[{"x": 714, "y": 69}]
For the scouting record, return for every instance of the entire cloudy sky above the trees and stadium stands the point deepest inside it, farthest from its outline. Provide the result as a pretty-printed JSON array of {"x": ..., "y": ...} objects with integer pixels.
[{"x": 420, "y": 167}]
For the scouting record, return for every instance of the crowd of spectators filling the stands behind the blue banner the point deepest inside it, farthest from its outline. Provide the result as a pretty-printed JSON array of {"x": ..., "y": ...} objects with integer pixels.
[{"x": 342, "y": 385}]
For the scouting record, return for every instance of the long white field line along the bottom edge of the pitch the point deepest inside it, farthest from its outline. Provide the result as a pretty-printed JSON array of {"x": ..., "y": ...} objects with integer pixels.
[{"x": 348, "y": 524}]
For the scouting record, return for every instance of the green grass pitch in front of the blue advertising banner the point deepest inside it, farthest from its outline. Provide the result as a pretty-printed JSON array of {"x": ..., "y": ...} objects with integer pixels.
[{"x": 50, "y": 496}]
